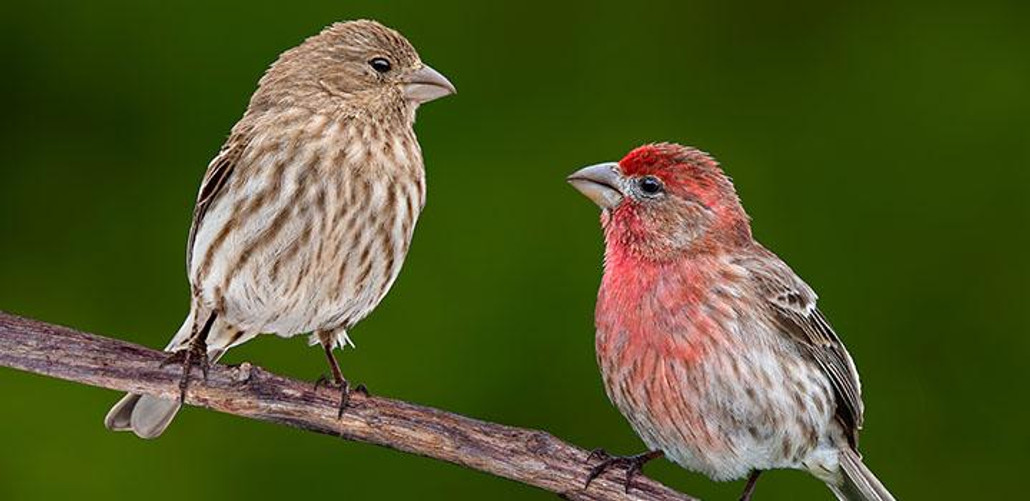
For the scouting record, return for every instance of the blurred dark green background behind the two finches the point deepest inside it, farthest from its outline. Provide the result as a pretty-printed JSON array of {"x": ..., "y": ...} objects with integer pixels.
[{"x": 882, "y": 150}]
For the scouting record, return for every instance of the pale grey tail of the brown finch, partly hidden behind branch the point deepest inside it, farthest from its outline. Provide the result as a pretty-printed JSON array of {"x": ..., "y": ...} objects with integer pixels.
[{"x": 147, "y": 416}]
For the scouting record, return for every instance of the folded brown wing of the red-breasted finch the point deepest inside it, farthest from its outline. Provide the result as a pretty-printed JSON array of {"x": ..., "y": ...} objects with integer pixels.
[{"x": 794, "y": 306}]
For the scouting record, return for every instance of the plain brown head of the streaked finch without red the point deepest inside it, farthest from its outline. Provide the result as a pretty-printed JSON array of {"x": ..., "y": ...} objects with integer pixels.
[{"x": 357, "y": 64}]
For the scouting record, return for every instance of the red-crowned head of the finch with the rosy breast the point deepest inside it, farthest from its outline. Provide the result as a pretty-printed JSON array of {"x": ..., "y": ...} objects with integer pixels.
[{"x": 664, "y": 199}]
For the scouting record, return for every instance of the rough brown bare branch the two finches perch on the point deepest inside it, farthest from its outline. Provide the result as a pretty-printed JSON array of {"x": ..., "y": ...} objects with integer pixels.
[{"x": 530, "y": 457}]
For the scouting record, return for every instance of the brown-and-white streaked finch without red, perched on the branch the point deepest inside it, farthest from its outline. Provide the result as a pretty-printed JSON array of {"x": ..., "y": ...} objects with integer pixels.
[{"x": 305, "y": 216}]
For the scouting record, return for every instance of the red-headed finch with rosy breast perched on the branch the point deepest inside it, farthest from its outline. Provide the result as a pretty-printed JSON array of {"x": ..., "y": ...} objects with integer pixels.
[{"x": 709, "y": 344}]
